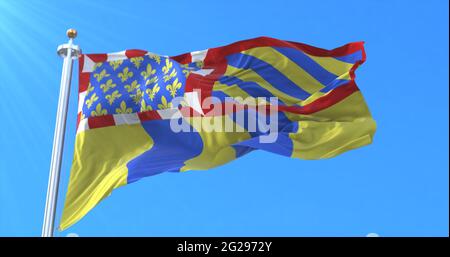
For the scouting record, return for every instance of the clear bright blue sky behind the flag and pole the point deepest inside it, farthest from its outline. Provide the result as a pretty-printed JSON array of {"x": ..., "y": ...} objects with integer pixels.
[{"x": 398, "y": 186}]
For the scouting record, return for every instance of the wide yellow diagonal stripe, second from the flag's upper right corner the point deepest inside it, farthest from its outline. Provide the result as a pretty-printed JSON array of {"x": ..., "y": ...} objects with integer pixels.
[{"x": 287, "y": 67}]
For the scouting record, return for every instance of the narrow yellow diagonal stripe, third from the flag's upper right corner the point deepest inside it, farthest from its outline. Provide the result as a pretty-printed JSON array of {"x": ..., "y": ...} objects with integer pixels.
[{"x": 249, "y": 75}]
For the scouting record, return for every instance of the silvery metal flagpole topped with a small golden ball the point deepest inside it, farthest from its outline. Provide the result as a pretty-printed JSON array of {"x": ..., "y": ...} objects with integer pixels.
[{"x": 69, "y": 52}]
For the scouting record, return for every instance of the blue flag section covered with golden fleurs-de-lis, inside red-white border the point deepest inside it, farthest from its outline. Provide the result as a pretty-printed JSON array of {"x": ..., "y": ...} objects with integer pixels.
[{"x": 133, "y": 85}]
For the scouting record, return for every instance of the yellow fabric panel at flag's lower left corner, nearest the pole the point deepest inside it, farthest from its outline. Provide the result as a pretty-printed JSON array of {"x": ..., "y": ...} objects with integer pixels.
[{"x": 99, "y": 166}]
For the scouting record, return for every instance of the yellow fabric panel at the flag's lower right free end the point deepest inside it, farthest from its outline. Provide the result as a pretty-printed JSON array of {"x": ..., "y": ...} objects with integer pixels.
[{"x": 339, "y": 128}]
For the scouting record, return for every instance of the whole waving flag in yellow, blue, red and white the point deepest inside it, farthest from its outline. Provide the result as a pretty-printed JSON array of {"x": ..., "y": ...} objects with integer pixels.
[{"x": 141, "y": 114}]
